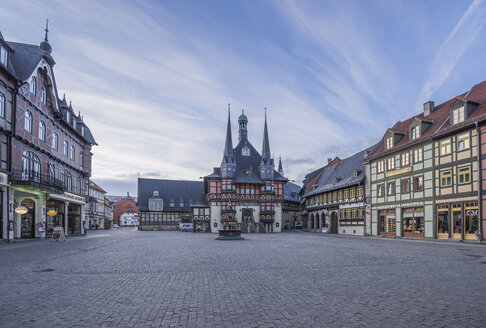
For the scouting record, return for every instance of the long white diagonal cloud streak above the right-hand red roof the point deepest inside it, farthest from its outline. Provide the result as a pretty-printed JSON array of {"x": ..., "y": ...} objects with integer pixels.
[{"x": 469, "y": 26}]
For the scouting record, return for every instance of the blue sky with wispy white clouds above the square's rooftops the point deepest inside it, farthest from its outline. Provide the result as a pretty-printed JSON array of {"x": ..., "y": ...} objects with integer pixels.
[{"x": 153, "y": 78}]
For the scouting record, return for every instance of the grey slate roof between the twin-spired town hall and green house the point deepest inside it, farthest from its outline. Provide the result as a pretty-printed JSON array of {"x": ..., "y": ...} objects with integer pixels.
[{"x": 343, "y": 171}]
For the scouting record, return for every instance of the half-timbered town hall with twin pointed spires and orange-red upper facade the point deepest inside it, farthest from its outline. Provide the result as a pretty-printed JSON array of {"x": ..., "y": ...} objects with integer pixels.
[{"x": 246, "y": 189}]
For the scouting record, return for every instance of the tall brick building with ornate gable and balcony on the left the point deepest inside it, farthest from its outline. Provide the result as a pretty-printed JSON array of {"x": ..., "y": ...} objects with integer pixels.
[{"x": 49, "y": 147}]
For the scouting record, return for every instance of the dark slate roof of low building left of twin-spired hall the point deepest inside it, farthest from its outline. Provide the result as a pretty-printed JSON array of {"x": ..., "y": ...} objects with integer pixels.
[{"x": 191, "y": 192}]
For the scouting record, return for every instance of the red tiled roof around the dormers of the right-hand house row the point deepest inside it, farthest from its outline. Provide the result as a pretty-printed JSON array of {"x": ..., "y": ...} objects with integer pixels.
[{"x": 439, "y": 120}]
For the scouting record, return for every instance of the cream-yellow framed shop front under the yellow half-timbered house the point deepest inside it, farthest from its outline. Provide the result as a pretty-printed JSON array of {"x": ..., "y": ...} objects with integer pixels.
[{"x": 457, "y": 220}]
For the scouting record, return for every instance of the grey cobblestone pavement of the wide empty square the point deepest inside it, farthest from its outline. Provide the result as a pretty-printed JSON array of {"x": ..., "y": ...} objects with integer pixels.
[{"x": 129, "y": 278}]
